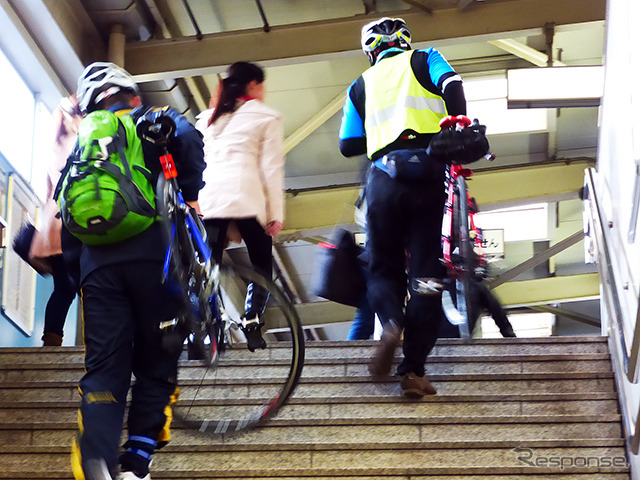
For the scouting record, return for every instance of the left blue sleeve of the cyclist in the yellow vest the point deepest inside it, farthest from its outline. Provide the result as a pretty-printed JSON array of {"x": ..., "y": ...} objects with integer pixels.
[{"x": 352, "y": 135}]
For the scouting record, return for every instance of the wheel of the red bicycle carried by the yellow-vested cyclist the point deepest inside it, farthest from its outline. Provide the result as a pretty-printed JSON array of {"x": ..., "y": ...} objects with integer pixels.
[{"x": 463, "y": 246}]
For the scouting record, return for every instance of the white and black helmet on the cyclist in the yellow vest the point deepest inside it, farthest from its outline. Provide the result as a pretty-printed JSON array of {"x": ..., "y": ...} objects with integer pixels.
[{"x": 383, "y": 34}]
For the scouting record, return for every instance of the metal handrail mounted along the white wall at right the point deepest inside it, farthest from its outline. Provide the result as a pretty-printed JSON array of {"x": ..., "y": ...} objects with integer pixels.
[{"x": 611, "y": 298}]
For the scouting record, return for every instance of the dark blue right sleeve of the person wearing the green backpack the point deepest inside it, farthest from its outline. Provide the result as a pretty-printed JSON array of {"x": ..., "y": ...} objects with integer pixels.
[{"x": 187, "y": 149}]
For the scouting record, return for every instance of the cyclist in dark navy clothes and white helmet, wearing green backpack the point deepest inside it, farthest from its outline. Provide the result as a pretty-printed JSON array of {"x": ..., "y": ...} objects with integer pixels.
[{"x": 123, "y": 302}]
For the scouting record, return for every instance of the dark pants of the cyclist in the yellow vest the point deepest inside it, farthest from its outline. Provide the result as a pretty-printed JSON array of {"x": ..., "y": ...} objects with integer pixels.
[{"x": 404, "y": 225}]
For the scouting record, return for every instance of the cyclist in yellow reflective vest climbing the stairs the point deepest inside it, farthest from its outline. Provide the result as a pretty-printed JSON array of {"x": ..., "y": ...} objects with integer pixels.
[{"x": 391, "y": 113}]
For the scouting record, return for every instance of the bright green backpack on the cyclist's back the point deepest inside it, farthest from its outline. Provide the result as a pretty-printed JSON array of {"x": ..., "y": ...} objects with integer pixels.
[{"x": 105, "y": 194}]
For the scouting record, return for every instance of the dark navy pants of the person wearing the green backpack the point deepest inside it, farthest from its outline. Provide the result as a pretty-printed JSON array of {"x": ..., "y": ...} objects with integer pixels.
[{"x": 122, "y": 306}]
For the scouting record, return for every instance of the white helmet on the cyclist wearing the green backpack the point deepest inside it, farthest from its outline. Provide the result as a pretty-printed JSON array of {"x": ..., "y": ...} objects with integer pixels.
[{"x": 99, "y": 81}]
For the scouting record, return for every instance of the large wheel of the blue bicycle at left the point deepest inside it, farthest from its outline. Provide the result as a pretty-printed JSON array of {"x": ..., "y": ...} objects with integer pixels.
[{"x": 245, "y": 388}]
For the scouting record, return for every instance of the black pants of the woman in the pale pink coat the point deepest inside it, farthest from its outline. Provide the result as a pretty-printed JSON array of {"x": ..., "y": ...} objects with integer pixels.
[{"x": 257, "y": 241}]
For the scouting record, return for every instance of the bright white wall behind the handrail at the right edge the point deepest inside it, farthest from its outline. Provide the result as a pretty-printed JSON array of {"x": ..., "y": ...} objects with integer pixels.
[{"x": 618, "y": 152}]
